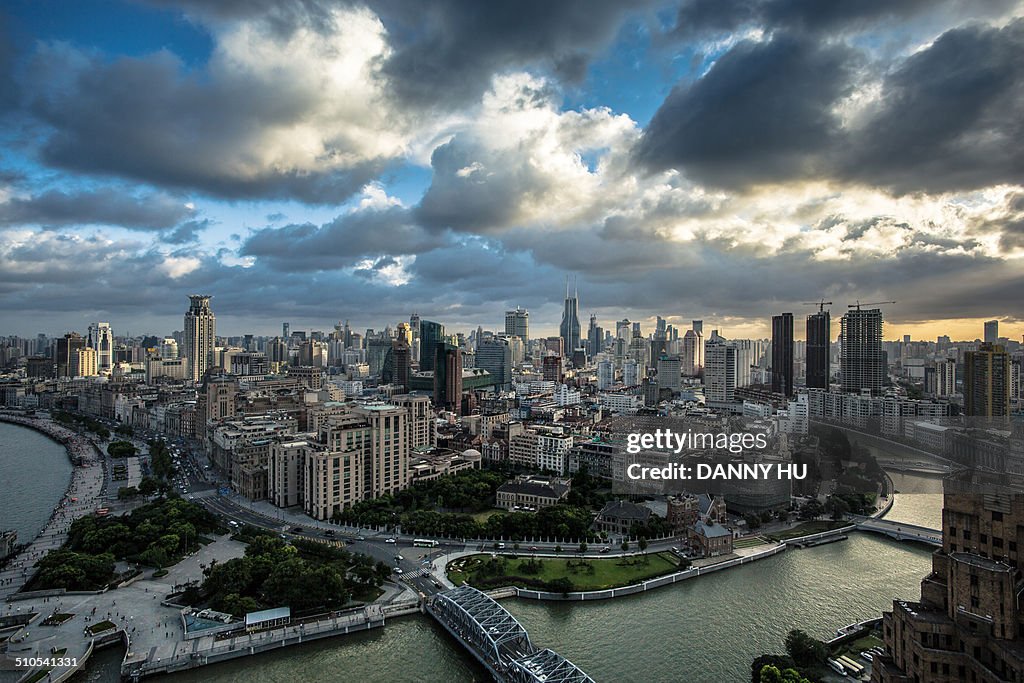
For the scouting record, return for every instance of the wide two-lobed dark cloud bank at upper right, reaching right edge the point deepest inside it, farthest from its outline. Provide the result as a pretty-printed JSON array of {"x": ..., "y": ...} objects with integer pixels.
[{"x": 948, "y": 118}]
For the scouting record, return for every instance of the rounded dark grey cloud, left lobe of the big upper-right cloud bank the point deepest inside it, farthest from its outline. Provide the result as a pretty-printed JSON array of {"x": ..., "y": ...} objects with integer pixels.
[{"x": 762, "y": 113}]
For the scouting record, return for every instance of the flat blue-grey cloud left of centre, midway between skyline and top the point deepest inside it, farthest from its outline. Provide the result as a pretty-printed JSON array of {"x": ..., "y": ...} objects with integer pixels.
[{"x": 342, "y": 243}]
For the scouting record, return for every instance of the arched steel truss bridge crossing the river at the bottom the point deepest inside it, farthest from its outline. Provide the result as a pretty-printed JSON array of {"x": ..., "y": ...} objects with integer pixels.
[{"x": 498, "y": 641}]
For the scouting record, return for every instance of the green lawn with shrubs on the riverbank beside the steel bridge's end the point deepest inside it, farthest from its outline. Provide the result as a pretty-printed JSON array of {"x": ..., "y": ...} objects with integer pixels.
[{"x": 595, "y": 575}]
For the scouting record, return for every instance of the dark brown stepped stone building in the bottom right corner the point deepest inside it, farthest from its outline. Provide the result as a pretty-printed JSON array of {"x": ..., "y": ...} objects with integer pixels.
[{"x": 968, "y": 624}]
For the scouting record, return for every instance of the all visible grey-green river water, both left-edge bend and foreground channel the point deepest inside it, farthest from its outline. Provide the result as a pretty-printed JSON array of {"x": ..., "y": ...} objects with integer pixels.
[{"x": 708, "y": 629}]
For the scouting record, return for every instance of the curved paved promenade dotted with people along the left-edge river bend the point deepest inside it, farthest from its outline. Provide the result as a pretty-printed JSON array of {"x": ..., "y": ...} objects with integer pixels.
[{"x": 82, "y": 498}]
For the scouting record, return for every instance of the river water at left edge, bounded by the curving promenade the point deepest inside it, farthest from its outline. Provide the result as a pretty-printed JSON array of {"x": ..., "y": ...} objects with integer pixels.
[{"x": 35, "y": 473}]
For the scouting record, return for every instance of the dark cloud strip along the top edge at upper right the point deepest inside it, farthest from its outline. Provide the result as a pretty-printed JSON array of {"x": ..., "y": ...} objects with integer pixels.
[{"x": 702, "y": 18}]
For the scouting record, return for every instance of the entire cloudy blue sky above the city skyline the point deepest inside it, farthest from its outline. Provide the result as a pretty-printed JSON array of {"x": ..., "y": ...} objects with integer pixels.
[{"x": 317, "y": 161}]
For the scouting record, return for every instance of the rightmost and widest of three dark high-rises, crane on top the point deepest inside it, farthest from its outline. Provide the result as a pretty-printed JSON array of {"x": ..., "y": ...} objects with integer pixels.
[{"x": 862, "y": 363}]
